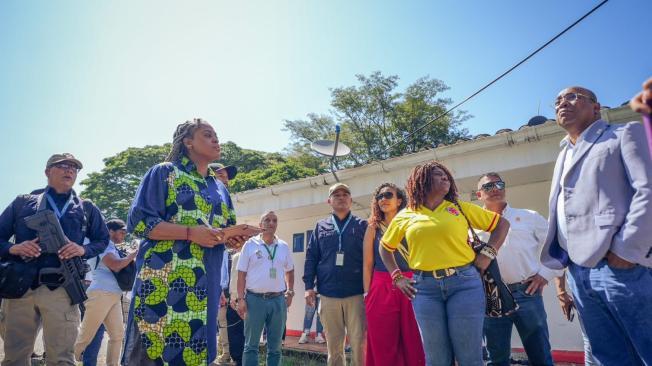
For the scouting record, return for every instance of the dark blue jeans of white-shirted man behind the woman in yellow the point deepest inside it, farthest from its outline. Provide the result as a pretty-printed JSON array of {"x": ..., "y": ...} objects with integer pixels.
[{"x": 531, "y": 323}]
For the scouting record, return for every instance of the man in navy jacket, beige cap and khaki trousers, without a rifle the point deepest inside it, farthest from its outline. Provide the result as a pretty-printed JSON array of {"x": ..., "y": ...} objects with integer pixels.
[{"x": 334, "y": 264}]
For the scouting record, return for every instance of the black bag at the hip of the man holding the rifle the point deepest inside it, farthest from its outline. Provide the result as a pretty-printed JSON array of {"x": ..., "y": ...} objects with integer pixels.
[{"x": 16, "y": 277}]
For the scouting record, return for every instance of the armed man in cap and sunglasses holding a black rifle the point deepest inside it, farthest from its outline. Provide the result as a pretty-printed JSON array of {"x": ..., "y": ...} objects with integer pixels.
[{"x": 40, "y": 275}]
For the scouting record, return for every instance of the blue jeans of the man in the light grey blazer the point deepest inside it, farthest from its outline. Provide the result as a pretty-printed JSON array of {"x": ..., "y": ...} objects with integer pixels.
[{"x": 616, "y": 309}]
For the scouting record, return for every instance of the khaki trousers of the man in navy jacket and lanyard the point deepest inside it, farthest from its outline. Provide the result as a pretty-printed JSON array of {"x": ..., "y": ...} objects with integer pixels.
[{"x": 341, "y": 317}]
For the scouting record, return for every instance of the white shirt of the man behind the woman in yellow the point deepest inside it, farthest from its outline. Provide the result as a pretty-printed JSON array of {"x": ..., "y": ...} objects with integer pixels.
[{"x": 518, "y": 257}]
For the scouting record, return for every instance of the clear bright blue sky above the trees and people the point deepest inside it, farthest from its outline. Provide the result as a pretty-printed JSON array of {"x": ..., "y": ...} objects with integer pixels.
[{"x": 94, "y": 78}]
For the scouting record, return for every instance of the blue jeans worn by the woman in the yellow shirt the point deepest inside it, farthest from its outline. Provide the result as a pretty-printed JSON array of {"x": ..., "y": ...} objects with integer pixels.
[{"x": 450, "y": 314}]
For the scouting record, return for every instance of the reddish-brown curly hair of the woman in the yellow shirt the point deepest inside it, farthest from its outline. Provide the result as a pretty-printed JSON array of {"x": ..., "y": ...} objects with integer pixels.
[{"x": 420, "y": 184}]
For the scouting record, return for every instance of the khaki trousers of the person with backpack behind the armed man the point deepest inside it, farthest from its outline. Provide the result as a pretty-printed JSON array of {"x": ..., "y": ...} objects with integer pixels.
[{"x": 102, "y": 307}]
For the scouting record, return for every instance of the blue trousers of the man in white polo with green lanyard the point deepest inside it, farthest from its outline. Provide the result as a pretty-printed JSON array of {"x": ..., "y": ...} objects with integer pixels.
[{"x": 268, "y": 313}]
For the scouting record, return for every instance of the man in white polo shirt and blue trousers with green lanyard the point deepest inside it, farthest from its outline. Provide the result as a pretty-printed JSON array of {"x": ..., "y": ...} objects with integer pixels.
[{"x": 265, "y": 290}]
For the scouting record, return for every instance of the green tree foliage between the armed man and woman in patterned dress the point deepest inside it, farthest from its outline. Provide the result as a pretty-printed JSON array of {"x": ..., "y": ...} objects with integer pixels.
[{"x": 113, "y": 188}]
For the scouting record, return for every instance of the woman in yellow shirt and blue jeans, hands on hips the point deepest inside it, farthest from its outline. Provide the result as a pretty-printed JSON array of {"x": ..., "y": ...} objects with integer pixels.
[{"x": 446, "y": 291}]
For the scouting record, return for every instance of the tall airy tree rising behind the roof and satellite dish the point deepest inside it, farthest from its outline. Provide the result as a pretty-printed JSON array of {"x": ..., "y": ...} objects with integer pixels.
[{"x": 373, "y": 116}]
